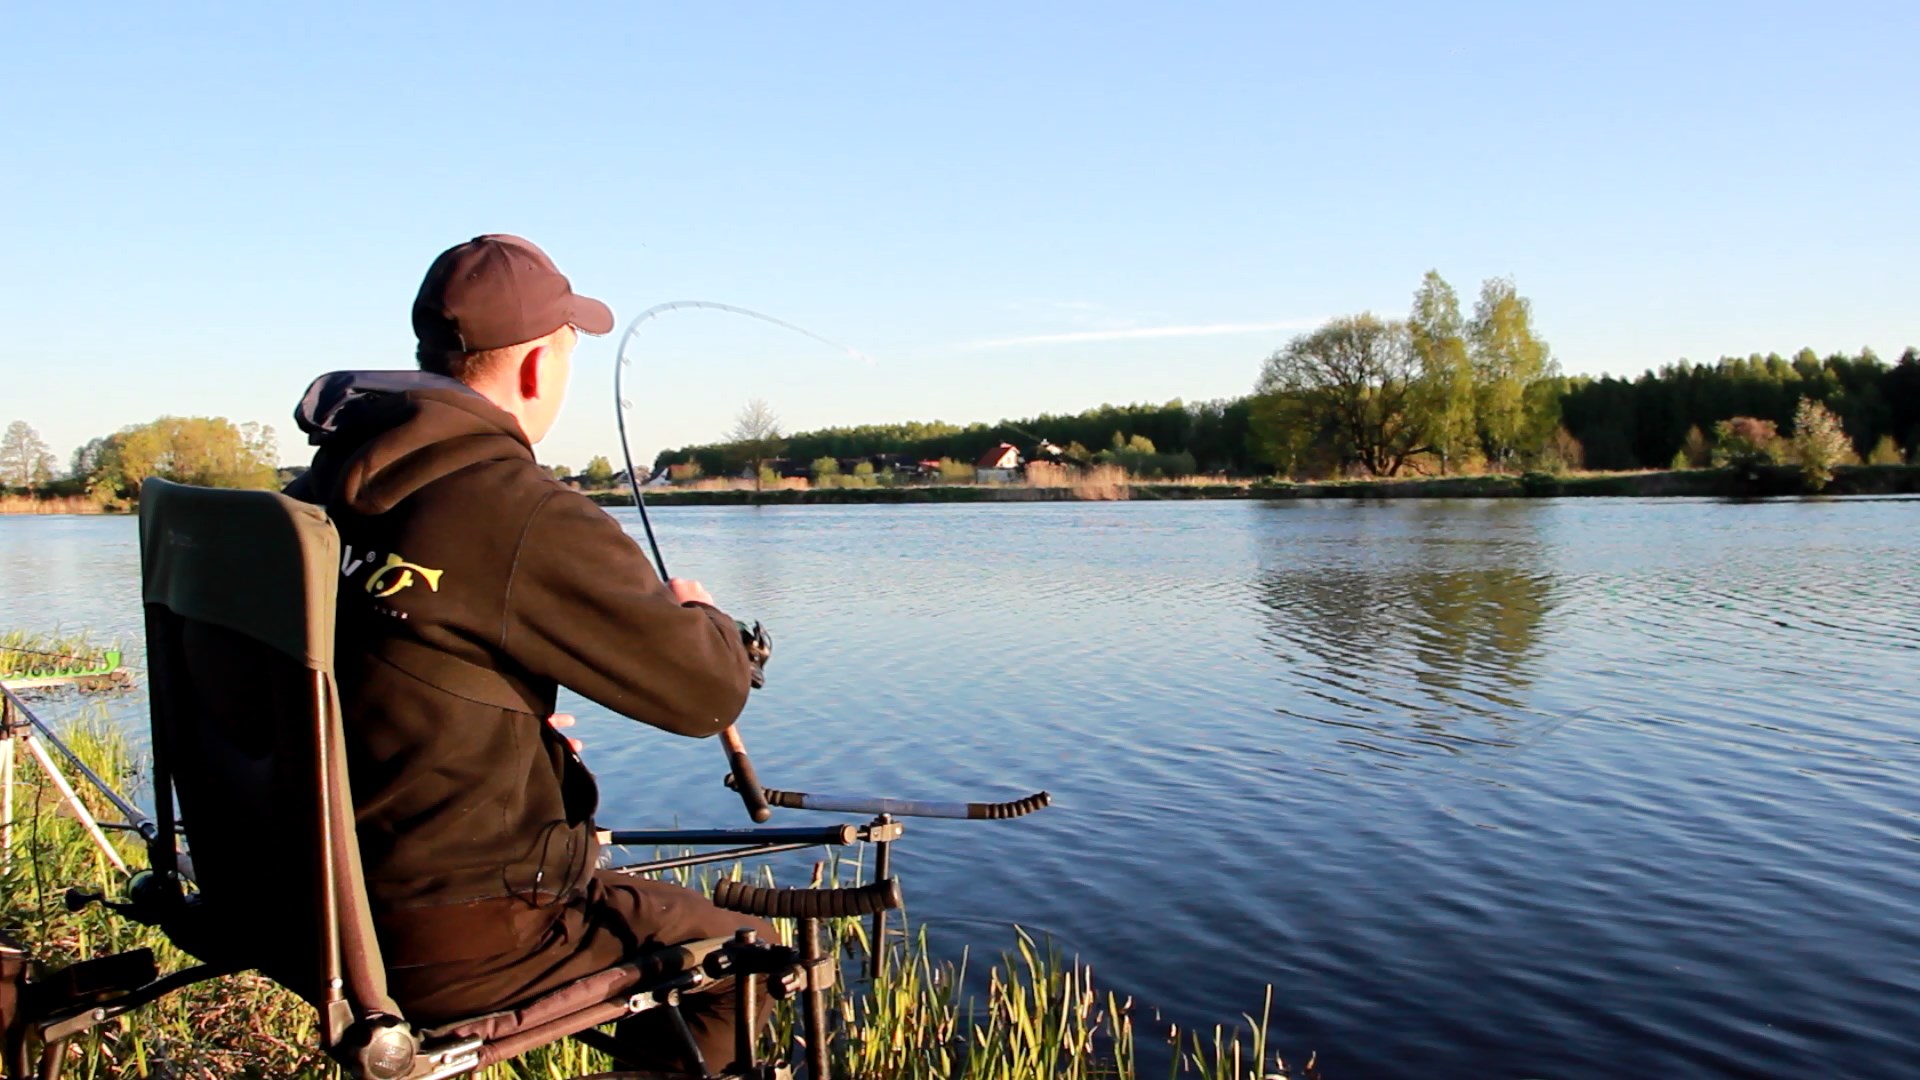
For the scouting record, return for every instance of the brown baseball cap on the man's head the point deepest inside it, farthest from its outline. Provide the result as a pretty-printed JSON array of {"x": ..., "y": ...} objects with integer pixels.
[{"x": 498, "y": 291}]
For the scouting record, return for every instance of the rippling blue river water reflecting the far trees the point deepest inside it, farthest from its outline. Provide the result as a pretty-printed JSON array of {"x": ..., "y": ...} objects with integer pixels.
[{"x": 1481, "y": 789}]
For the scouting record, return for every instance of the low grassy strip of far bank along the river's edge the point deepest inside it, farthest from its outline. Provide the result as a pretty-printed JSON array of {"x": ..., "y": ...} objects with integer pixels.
[{"x": 1685, "y": 483}]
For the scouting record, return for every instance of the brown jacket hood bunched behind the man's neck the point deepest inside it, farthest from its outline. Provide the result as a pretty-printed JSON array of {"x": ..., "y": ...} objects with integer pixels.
[{"x": 385, "y": 435}]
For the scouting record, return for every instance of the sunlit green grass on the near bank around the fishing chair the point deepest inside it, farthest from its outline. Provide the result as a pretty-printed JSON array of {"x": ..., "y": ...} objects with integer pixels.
[{"x": 1034, "y": 1014}]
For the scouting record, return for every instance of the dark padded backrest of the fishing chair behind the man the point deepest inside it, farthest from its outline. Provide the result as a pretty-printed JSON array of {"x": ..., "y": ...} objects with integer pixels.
[{"x": 239, "y": 593}]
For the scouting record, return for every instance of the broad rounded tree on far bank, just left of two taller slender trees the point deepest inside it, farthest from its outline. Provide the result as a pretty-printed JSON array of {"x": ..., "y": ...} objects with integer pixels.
[{"x": 1356, "y": 380}]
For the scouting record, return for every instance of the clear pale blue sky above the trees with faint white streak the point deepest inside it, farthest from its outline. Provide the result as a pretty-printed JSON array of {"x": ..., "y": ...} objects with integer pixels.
[{"x": 1005, "y": 209}]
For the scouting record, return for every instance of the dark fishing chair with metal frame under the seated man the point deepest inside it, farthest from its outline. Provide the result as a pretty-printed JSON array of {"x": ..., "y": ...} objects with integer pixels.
[{"x": 247, "y": 725}]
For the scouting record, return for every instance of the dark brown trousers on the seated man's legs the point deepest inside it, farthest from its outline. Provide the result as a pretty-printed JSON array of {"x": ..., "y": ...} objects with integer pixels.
[{"x": 617, "y": 918}]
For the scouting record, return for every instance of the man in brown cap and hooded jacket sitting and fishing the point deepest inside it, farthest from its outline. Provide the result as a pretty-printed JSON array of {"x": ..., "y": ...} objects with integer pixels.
[{"x": 473, "y": 587}]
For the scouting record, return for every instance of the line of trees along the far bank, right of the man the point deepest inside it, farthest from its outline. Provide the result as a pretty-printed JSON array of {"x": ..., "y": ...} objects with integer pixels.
[{"x": 1439, "y": 391}]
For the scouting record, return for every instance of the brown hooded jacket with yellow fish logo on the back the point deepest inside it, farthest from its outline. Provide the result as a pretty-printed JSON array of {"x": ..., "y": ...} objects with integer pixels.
[{"x": 473, "y": 585}]
